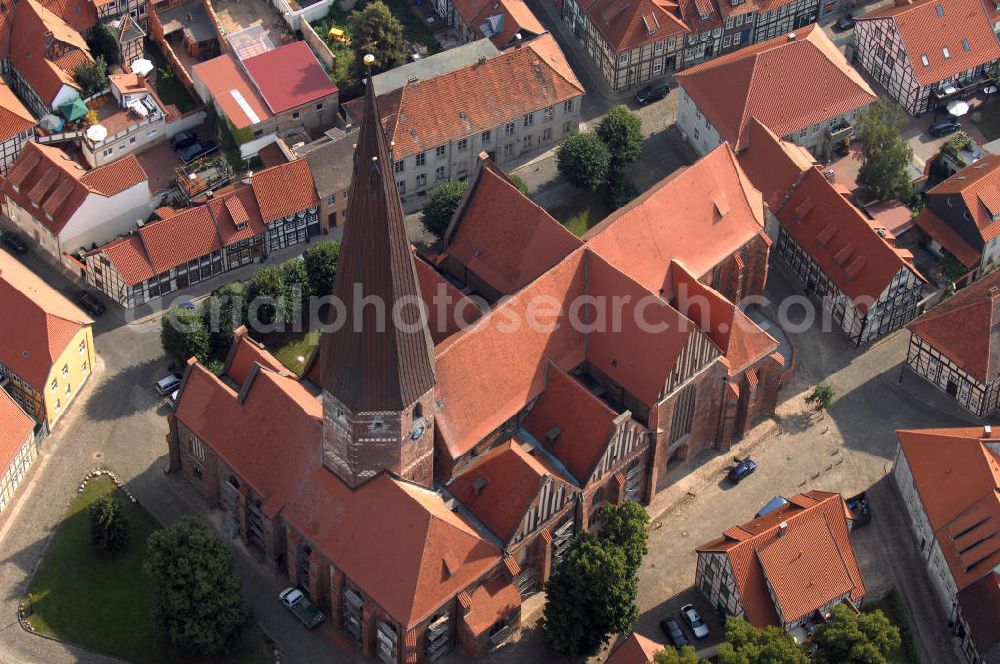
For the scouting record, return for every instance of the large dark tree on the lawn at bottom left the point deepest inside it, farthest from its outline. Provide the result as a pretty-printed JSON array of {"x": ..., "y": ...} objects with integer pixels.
[{"x": 197, "y": 595}]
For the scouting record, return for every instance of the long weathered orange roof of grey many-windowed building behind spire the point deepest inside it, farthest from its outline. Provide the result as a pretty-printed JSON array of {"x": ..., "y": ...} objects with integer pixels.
[{"x": 481, "y": 96}]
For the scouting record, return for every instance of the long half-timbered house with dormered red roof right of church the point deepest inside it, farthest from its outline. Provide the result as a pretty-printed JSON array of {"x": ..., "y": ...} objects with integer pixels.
[{"x": 868, "y": 285}]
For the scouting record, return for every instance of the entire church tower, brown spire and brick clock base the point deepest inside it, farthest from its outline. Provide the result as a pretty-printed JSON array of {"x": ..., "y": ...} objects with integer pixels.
[{"x": 378, "y": 365}]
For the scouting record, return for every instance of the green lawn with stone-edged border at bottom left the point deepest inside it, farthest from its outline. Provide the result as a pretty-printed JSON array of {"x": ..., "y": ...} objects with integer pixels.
[{"x": 103, "y": 602}]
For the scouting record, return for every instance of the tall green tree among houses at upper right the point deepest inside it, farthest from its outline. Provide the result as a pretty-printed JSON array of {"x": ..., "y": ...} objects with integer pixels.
[{"x": 886, "y": 156}]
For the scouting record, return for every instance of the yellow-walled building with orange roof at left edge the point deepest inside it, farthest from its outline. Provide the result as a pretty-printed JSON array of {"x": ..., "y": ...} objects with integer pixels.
[{"x": 46, "y": 344}]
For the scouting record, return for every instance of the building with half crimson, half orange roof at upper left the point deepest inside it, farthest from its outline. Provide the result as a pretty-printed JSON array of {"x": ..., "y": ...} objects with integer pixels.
[{"x": 269, "y": 94}]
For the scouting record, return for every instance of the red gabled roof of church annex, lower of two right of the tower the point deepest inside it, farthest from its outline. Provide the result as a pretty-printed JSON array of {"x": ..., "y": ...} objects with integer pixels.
[{"x": 501, "y": 487}]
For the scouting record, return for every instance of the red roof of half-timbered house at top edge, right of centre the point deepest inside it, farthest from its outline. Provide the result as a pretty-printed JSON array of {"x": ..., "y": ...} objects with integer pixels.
[{"x": 627, "y": 24}]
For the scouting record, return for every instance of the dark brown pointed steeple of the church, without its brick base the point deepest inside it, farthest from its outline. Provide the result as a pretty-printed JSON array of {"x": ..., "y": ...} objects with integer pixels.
[{"x": 373, "y": 362}]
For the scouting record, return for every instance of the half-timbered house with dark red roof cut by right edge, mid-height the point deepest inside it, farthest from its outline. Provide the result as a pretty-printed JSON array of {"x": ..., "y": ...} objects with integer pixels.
[{"x": 956, "y": 346}]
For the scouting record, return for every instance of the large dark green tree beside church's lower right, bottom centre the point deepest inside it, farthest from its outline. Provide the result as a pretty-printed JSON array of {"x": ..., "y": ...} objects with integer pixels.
[{"x": 590, "y": 597}]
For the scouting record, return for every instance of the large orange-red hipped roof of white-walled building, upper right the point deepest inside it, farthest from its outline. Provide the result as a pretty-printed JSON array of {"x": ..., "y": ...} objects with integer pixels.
[{"x": 754, "y": 81}]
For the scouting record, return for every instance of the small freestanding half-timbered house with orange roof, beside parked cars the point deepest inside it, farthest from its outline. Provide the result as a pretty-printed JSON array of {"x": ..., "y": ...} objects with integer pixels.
[{"x": 787, "y": 568}]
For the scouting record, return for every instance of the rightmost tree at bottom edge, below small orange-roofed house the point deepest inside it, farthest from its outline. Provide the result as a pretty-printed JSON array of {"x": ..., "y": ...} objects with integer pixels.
[{"x": 851, "y": 638}]
